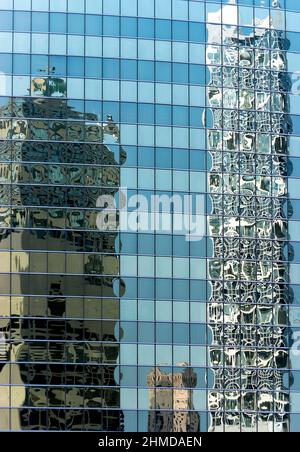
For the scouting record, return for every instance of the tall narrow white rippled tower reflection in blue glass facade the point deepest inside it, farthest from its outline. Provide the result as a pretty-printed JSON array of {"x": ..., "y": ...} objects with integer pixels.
[{"x": 248, "y": 185}]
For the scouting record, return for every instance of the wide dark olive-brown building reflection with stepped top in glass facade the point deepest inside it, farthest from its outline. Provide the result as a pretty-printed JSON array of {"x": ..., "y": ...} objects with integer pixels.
[{"x": 60, "y": 270}]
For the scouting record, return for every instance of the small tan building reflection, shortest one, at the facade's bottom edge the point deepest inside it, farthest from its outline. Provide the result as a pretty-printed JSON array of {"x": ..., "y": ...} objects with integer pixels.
[{"x": 171, "y": 401}]
